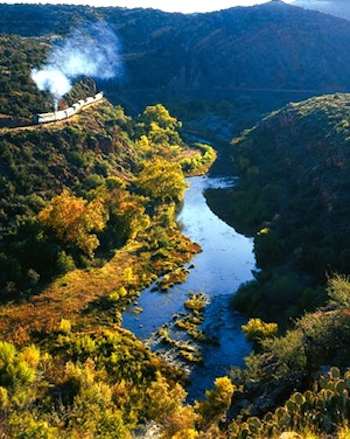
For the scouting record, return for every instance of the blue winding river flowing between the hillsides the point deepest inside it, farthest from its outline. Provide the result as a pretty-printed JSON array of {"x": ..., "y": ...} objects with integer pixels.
[{"x": 226, "y": 262}]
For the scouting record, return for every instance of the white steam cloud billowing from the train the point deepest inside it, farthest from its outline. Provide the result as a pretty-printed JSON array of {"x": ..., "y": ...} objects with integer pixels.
[{"x": 93, "y": 51}]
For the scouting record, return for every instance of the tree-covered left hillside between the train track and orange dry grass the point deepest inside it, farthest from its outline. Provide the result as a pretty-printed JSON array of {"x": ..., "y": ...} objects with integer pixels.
[{"x": 102, "y": 172}]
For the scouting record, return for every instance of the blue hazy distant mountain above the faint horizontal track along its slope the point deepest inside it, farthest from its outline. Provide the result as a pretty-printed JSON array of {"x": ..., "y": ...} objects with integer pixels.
[{"x": 270, "y": 46}]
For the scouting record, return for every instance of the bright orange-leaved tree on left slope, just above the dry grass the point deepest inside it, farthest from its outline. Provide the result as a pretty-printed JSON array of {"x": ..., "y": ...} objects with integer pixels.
[{"x": 73, "y": 220}]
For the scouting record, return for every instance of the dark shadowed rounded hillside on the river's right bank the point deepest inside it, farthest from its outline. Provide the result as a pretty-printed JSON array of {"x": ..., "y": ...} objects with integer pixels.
[{"x": 294, "y": 193}]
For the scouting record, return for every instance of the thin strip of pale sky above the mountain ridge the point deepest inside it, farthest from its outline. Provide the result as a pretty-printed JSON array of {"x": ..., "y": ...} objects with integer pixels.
[{"x": 166, "y": 5}]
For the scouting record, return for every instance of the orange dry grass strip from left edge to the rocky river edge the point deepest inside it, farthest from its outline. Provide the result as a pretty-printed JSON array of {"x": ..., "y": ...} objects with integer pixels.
[{"x": 69, "y": 295}]
